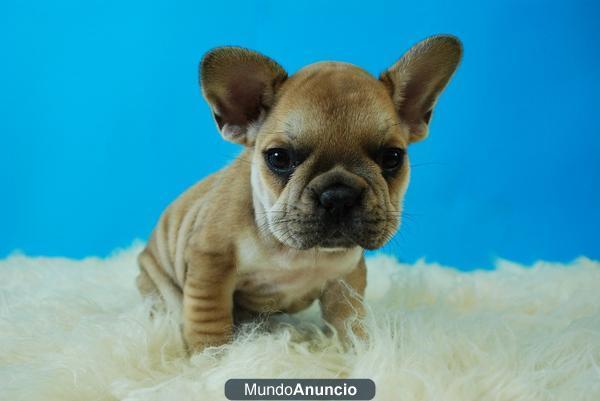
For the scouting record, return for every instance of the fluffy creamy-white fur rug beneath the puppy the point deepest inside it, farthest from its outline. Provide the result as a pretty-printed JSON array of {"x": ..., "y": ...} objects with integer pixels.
[{"x": 77, "y": 330}]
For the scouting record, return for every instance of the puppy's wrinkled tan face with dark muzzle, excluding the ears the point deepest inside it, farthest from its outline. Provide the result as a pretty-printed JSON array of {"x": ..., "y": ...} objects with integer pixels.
[{"x": 330, "y": 164}]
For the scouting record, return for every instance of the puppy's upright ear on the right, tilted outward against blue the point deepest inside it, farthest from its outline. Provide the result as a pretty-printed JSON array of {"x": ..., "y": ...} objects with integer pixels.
[{"x": 418, "y": 78}]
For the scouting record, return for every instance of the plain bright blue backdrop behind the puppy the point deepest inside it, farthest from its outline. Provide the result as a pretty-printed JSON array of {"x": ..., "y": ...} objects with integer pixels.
[{"x": 102, "y": 123}]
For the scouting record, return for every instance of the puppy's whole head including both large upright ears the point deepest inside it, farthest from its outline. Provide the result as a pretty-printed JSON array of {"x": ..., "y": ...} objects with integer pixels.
[{"x": 330, "y": 164}]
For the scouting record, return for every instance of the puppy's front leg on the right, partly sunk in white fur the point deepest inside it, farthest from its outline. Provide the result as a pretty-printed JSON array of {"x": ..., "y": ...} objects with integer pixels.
[{"x": 342, "y": 300}]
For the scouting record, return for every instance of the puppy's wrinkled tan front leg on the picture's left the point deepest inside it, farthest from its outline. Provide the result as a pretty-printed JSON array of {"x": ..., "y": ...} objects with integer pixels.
[{"x": 208, "y": 299}]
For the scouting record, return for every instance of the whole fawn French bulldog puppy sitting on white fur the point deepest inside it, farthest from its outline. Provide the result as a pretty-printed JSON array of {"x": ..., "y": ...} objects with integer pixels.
[{"x": 321, "y": 179}]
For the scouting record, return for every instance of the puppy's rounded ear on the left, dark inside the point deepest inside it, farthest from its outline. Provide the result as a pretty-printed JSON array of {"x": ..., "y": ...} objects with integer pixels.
[{"x": 240, "y": 86}]
